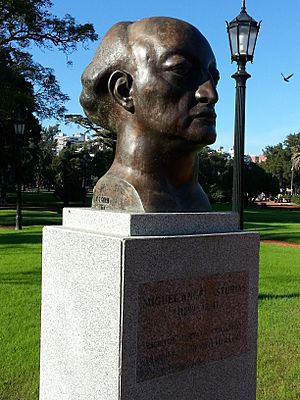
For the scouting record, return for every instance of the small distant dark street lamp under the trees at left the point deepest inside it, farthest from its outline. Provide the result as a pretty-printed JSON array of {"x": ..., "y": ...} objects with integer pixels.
[{"x": 19, "y": 126}]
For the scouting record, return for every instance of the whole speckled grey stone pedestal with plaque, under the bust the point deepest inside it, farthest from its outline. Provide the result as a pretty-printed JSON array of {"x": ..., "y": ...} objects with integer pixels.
[{"x": 148, "y": 307}]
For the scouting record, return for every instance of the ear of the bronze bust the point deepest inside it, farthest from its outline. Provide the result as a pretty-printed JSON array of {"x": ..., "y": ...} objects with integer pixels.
[{"x": 119, "y": 86}]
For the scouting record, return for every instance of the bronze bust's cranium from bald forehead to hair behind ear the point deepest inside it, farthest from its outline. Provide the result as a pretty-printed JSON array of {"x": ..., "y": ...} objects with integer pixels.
[{"x": 122, "y": 49}]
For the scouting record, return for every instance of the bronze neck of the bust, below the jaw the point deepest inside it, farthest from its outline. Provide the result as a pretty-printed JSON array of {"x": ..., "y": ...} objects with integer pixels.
[{"x": 160, "y": 161}]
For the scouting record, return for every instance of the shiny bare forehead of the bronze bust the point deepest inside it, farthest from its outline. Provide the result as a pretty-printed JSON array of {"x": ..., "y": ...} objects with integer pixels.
[{"x": 166, "y": 35}]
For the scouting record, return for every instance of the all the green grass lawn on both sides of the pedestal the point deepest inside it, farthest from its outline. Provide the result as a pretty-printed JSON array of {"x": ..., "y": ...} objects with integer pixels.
[{"x": 279, "y": 305}]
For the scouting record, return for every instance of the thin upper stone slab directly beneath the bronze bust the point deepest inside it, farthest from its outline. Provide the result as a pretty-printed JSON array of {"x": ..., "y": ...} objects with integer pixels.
[{"x": 149, "y": 224}]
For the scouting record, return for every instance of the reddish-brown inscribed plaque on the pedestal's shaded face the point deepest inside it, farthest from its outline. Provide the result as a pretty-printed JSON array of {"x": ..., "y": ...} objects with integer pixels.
[{"x": 187, "y": 322}]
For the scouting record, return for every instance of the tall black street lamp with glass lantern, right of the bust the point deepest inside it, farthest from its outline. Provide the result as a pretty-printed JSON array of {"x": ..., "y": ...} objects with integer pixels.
[{"x": 242, "y": 33}]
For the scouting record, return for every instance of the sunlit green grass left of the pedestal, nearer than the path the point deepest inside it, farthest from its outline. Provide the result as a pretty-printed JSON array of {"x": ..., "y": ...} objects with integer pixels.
[{"x": 20, "y": 284}]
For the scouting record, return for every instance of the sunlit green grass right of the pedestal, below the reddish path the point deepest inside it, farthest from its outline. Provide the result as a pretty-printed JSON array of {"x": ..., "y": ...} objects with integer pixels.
[{"x": 279, "y": 324}]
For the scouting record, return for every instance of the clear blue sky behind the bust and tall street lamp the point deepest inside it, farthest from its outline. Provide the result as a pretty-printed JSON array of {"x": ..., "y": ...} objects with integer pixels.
[{"x": 272, "y": 105}]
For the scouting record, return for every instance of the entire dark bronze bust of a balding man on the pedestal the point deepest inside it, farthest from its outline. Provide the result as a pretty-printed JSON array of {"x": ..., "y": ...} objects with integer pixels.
[{"x": 153, "y": 82}]
